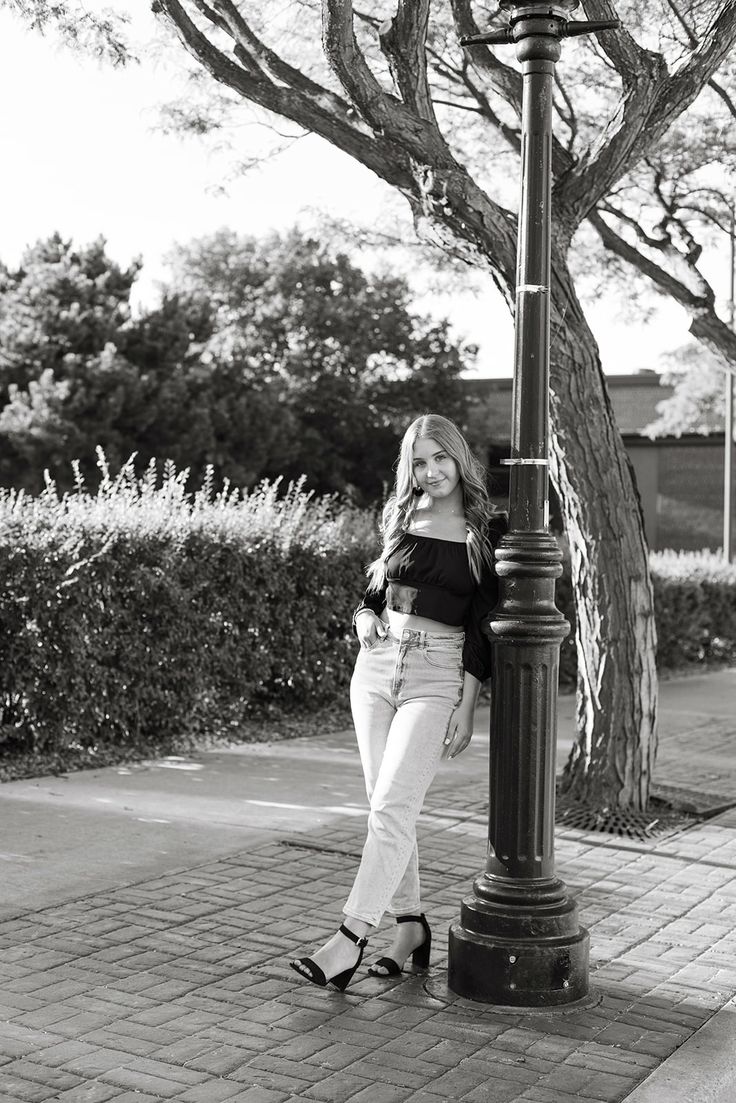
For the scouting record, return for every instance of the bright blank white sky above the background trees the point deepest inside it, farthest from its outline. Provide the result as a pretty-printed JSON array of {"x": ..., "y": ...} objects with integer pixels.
[{"x": 83, "y": 156}]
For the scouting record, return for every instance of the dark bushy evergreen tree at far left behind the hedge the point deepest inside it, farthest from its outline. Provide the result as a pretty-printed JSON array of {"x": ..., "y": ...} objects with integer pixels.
[{"x": 78, "y": 370}]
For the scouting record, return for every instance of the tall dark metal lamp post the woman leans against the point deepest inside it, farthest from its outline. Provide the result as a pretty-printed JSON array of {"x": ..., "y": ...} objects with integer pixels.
[{"x": 519, "y": 941}]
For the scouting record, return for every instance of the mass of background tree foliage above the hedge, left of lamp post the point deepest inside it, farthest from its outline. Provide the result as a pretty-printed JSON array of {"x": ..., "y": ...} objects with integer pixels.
[{"x": 263, "y": 359}]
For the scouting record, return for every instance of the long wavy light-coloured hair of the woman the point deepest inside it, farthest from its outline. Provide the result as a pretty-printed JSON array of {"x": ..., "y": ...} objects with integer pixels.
[{"x": 401, "y": 507}]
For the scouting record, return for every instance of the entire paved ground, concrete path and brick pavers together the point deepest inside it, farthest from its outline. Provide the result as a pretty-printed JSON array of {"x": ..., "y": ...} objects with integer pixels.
[{"x": 151, "y": 913}]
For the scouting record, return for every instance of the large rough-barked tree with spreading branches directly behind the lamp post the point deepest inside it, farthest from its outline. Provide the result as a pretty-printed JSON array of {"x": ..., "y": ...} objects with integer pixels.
[{"x": 391, "y": 95}]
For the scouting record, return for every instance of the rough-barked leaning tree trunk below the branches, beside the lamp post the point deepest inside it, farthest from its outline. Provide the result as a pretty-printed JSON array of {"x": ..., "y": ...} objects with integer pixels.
[{"x": 613, "y": 759}]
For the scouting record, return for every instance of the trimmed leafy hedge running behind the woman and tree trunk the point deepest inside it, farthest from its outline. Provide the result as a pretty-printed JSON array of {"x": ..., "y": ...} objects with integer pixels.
[{"x": 144, "y": 613}]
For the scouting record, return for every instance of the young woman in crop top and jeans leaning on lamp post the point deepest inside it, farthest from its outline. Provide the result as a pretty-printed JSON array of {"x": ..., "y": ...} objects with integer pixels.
[{"x": 422, "y": 663}]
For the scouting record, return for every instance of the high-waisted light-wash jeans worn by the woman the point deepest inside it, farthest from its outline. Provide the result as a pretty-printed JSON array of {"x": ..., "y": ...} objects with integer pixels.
[{"x": 403, "y": 695}]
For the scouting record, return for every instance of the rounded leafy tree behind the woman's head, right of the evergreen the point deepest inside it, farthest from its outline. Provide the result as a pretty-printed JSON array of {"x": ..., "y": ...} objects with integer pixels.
[{"x": 343, "y": 351}]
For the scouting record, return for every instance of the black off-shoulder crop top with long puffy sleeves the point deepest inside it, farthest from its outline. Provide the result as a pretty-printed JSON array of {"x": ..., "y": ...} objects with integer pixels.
[{"x": 430, "y": 577}]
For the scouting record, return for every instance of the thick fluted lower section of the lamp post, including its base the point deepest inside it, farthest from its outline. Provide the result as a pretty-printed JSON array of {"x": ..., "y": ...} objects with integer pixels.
[{"x": 519, "y": 941}]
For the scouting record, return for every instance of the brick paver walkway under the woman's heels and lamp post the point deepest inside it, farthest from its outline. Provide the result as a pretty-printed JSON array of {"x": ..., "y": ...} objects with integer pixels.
[{"x": 178, "y": 988}]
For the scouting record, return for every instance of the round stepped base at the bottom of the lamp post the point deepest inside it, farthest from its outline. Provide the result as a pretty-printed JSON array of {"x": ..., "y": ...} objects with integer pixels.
[{"x": 519, "y": 957}]
